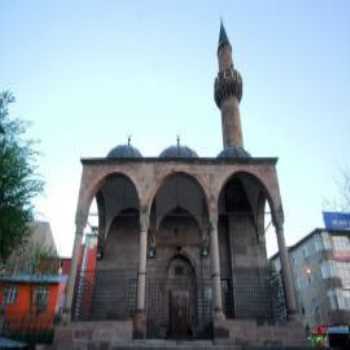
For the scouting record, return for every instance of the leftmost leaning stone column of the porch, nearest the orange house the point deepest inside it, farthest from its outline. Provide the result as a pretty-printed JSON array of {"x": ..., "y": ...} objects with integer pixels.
[{"x": 73, "y": 272}]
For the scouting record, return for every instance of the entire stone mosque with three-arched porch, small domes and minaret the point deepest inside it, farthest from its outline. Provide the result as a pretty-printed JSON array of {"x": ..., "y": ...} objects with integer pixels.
[{"x": 181, "y": 238}]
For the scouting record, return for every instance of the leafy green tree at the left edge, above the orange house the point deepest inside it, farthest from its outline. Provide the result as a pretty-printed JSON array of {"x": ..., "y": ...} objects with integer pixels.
[{"x": 19, "y": 180}]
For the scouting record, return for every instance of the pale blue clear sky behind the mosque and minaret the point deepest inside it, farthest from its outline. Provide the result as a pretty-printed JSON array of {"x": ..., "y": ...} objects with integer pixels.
[{"x": 87, "y": 74}]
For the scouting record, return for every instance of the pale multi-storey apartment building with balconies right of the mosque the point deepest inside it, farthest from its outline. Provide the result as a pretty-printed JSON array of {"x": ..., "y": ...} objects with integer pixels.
[{"x": 321, "y": 270}]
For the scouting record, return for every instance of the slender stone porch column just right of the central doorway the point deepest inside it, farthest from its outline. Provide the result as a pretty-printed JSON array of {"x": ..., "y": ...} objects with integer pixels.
[{"x": 215, "y": 262}]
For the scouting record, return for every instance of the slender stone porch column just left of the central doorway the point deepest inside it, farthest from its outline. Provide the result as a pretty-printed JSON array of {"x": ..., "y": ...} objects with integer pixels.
[{"x": 140, "y": 317}]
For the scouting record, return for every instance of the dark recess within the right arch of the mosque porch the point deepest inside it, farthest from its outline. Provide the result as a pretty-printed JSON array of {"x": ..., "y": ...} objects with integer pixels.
[{"x": 241, "y": 208}]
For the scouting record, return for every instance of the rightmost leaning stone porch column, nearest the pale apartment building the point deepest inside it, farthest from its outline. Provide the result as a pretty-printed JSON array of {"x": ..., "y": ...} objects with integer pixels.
[{"x": 287, "y": 275}]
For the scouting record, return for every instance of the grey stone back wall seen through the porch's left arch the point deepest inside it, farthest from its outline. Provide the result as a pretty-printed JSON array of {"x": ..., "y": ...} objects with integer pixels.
[{"x": 116, "y": 273}]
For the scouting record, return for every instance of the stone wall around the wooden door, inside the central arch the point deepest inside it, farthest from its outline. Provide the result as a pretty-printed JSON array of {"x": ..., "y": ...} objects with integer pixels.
[{"x": 178, "y": 241}]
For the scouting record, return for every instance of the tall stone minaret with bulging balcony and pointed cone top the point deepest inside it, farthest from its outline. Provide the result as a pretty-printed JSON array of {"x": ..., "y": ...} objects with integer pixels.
[{"x": 228, "y": 93}]
